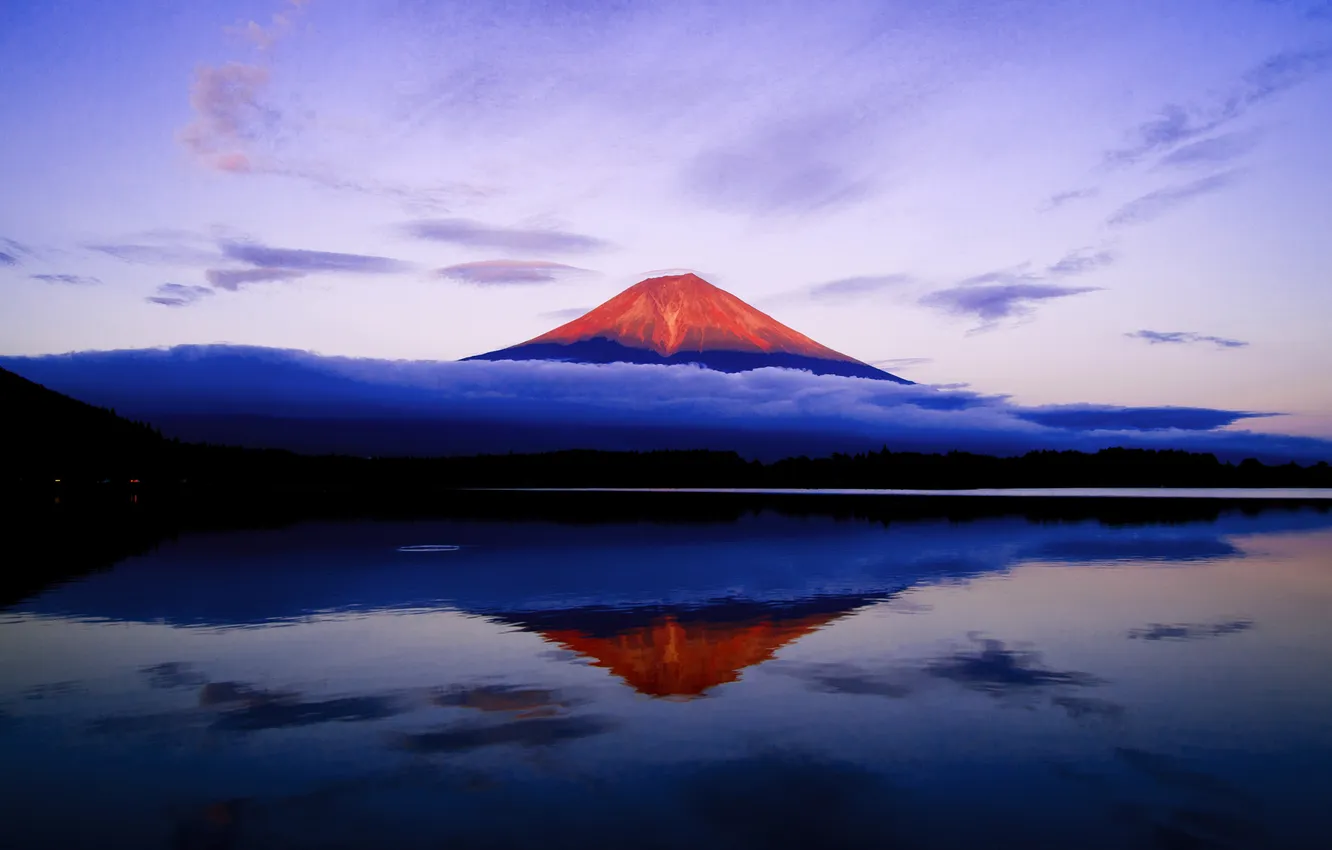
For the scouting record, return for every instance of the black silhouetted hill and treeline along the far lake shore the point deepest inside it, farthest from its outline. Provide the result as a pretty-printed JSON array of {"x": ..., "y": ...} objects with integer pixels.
[{"x": 49, "y": 438}]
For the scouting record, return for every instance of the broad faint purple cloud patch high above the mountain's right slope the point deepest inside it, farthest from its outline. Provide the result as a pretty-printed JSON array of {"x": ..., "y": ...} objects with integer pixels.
[{"x": 792, "y": 166}]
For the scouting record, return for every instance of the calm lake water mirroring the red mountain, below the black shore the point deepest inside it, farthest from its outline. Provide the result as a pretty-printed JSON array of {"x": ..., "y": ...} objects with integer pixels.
[{"x": 768, "y": 683}]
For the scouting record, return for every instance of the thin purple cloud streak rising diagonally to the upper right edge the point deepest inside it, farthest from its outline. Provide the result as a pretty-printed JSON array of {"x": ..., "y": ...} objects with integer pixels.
[{"x": 1177, "y": 125}]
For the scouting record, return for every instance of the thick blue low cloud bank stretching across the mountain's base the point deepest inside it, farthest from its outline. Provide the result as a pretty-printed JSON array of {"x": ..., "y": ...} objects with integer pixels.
[{"x": 647, "y": 402}]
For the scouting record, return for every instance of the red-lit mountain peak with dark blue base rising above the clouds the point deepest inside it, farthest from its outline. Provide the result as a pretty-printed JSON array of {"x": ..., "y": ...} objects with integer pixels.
[{"x": 683, "y": 319}]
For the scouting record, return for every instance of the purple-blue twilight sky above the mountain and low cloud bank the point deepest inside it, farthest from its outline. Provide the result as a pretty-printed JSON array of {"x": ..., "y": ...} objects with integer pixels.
[{"x": 1062, "y": 202}]
